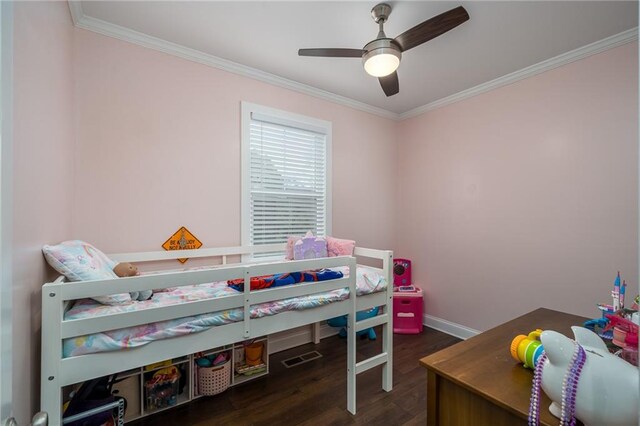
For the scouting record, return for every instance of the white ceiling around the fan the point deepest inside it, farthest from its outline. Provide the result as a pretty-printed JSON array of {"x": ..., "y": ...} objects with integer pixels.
[{"x": 500, "y": 38}]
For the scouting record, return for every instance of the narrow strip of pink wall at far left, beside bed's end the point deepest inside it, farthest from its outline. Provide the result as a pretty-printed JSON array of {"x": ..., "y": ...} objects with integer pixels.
[{"x": 43, "y": 175}]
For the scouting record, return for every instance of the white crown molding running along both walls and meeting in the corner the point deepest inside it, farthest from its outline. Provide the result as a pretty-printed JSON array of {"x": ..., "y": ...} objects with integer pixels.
[{"x": 112, "y": 30}]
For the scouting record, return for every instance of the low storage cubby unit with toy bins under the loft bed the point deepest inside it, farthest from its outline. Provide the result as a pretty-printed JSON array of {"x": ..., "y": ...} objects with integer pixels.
[{"x": 132, "y": 384}]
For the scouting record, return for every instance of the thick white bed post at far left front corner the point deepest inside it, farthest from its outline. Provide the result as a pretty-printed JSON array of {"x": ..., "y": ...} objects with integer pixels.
[{"x": 50, "y": 392}]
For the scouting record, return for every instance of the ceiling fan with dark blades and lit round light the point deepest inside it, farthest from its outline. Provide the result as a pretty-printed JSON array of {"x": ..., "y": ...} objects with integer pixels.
[{"x": 381, "y": 57}]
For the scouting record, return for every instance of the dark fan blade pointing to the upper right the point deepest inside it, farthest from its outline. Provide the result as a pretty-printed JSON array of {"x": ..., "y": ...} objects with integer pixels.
[{"x": 432, "y": 28}]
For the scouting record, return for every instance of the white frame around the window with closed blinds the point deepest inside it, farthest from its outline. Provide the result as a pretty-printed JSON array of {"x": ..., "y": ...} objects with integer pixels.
[{"x": 288, "y": 119}]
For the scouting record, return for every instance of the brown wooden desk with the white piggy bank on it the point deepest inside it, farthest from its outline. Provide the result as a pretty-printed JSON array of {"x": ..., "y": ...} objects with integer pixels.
[{"x": 476, "y": 382}]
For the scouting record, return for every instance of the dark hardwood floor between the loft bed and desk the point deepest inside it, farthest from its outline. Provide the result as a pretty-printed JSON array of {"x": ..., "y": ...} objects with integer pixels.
[{"x": 315, "y": 393}]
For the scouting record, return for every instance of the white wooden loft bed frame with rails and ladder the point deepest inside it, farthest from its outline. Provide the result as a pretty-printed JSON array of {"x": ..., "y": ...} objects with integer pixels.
[{"x": 58, "y": 372}]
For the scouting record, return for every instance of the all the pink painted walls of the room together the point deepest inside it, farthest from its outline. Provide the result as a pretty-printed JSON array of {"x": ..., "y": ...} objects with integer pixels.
[{"x": 521, "y": 197}]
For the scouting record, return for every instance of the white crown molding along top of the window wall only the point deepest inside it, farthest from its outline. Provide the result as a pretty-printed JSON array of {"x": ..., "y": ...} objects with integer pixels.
[{"x": 116, "y": 31}]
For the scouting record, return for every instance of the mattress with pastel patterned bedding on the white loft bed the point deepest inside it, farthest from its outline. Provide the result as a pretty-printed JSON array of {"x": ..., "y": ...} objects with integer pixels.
[{"x": 368, "y": 281}]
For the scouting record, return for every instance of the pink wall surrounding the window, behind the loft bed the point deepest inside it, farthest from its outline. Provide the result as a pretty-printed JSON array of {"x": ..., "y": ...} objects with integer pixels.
[{"x": 159, "y": 147}]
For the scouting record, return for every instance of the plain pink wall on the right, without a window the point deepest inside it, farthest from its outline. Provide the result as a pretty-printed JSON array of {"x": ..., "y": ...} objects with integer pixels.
[{"x": 525, "y": 196}]
